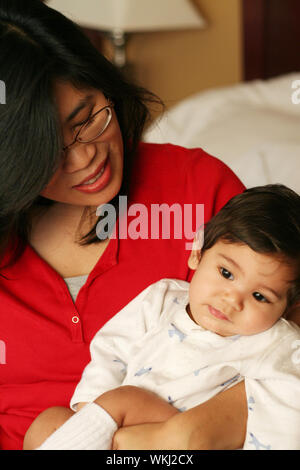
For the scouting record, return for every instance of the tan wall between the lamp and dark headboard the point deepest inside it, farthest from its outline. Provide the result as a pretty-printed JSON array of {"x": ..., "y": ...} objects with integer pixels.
[{"x": 177, "y": 64}]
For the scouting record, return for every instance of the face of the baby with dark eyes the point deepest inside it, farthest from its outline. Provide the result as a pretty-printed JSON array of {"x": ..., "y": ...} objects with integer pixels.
[{"x": 236, "y": 291}]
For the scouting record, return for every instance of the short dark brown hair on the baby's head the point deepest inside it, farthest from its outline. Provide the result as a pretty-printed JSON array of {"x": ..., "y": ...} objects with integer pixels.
[{"x": 267, "y": 219}]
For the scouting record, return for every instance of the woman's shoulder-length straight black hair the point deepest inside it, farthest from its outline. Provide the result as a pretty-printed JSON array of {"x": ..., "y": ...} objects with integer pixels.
[{"x": 38, "y": 46}]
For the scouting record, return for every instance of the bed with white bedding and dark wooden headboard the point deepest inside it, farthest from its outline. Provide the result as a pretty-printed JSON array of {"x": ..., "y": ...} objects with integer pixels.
[{"x": 254, "y": 126}]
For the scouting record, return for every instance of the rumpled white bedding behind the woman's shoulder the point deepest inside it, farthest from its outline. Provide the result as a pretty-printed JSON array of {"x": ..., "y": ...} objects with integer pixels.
[{"x": 254, "y": 127}]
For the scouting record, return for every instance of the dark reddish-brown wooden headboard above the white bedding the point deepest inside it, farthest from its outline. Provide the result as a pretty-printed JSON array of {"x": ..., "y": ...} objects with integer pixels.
[{"x": 271, "y": 35}]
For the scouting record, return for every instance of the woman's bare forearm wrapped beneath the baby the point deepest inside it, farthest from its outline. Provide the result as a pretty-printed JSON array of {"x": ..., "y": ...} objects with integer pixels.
[{"x": 218, "y": 424}]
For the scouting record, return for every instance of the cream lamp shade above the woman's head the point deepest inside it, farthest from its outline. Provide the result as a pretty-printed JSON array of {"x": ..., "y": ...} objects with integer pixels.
[{"x": 131, "y": 15}]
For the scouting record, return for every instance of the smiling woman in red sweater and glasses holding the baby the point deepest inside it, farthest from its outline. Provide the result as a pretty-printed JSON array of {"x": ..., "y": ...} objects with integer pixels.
[{"x": 70, "y": 132}]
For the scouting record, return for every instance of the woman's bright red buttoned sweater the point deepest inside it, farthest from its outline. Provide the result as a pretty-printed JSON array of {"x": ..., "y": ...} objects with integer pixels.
[{"x": 42, "y": 350}]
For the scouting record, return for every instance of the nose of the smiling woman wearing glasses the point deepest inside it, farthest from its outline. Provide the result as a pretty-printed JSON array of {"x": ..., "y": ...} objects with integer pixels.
[{"x": 79, "y": 156}]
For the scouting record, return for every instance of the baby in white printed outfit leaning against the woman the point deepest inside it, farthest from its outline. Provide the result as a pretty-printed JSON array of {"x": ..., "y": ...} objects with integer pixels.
[{"x": 177, "y": 344}]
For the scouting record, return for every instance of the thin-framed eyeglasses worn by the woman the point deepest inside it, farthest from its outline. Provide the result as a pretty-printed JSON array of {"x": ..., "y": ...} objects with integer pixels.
[{"x": 94, "y": 126}]
